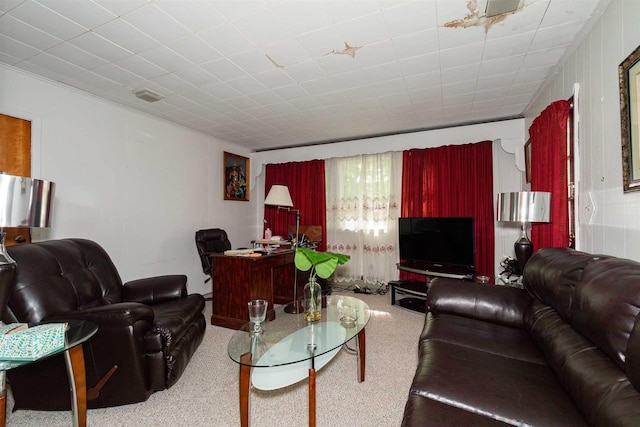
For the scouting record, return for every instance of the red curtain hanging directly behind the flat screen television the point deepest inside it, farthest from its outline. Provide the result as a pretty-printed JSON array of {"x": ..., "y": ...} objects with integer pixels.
[{"x": 455, "y": 180}]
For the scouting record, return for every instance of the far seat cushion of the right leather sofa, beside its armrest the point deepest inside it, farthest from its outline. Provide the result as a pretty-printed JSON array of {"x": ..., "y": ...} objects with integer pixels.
[{"x": 514, "y": 343}]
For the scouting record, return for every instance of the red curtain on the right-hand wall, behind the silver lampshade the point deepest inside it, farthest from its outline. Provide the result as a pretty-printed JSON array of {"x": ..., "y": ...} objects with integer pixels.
[{"x": 548, "y": 134}]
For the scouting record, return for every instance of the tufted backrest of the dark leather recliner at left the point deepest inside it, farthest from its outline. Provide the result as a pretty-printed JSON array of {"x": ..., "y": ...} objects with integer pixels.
[{"x": 56, "y": 276}]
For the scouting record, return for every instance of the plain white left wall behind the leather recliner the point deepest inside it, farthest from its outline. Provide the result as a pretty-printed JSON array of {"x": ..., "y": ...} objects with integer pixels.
[{"x": 138, "y": 185}]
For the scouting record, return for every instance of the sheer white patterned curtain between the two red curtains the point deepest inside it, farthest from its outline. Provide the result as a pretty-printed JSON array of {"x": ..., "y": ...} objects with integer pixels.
[{"x": 363, "y": 206}]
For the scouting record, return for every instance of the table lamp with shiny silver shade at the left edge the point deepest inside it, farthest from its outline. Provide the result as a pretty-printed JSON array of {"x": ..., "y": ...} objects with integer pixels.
[{"x": 24, "y": 202}]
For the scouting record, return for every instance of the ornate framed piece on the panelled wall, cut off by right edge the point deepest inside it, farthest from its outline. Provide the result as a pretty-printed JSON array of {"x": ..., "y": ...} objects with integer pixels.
[{"x": 629, "y": 75}]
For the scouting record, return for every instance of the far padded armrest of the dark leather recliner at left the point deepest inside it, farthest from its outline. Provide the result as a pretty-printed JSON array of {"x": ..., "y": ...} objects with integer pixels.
[{"x": 153, "y": 290}]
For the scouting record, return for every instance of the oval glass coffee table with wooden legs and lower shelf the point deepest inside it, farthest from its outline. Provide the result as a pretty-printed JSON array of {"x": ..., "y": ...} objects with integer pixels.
[{"x": 291, "y": 349}]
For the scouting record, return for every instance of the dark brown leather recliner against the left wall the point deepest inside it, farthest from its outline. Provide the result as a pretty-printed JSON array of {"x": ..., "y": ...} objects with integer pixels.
[{"x": 148, "y": 329}]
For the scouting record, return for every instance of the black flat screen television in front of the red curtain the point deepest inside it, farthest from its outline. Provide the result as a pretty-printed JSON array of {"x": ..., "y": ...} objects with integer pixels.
[{"x": 439, "y": 243}]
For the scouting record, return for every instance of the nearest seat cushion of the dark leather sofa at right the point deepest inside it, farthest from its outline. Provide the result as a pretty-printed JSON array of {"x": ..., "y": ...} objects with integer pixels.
[{"x": 502, "y": 388}]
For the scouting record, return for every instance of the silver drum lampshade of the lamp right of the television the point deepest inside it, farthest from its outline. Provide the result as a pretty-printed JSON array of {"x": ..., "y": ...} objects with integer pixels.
[{"x": 525, "y": 206}]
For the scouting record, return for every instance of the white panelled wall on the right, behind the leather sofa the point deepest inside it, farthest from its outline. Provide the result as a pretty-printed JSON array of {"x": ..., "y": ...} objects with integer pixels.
[{"x": 607, "y": 217}]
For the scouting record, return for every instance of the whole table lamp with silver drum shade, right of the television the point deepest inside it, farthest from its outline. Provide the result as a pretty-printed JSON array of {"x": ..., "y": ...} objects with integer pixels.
[{"x": 524, "y": 207}]
